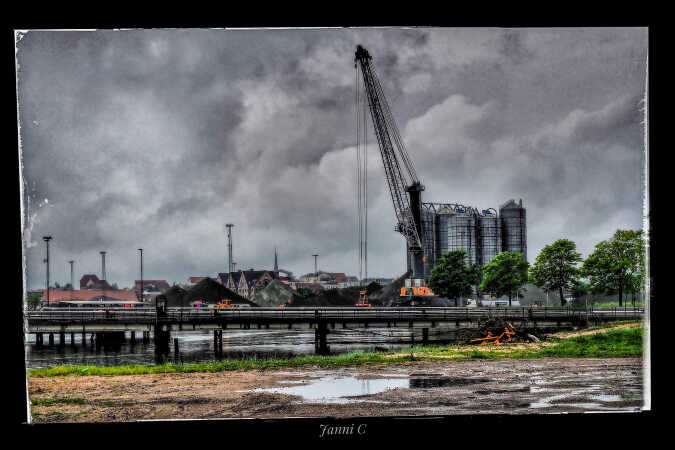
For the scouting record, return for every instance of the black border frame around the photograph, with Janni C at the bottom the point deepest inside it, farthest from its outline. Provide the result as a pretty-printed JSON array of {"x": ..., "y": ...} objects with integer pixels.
[{"x": 511, "y": 430}]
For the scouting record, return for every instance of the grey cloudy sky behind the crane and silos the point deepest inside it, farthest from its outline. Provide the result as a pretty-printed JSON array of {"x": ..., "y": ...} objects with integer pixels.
[{"x": 157, "y": 138}]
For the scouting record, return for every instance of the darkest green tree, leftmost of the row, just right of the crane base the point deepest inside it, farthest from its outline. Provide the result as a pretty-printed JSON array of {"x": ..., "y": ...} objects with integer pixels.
[{"x": 452, "y": 278}]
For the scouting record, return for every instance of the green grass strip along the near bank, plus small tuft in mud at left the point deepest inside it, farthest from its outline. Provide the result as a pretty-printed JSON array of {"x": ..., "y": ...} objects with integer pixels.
[{"x": 616, "y": 343}]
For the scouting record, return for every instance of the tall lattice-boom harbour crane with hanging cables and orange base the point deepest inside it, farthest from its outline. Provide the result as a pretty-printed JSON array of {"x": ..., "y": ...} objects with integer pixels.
[{"x": 404, "y": 186}]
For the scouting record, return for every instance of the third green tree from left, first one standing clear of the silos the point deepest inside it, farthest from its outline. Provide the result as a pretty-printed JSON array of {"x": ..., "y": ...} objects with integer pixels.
[{"x": 555, "y": 268}]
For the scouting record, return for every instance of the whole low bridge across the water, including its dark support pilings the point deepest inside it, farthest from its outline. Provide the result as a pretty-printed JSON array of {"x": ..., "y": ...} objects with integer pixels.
[{"x": 111, "y": 324}]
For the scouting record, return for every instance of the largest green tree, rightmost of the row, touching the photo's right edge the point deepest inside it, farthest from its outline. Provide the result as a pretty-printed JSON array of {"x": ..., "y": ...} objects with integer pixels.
[{"x": 617, "y": 265}]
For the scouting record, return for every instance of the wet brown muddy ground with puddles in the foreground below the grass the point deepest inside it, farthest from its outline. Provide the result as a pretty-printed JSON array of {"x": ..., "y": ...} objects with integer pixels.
[{"x": 430, "y": 388}]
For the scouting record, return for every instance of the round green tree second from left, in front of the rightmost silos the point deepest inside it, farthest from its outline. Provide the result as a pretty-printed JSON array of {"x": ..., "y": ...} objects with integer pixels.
[{"x": 505, "y": 275}]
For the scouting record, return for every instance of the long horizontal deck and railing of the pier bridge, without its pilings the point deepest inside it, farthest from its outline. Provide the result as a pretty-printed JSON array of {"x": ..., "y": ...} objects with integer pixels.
[{"x": 148, "y": 318}]
